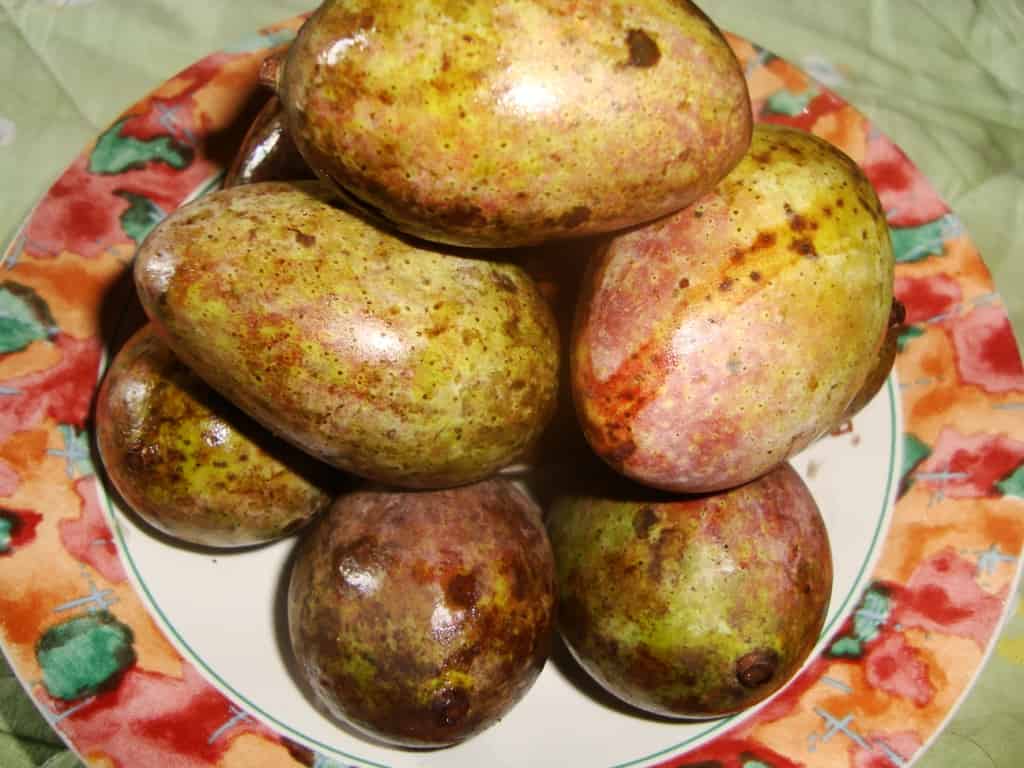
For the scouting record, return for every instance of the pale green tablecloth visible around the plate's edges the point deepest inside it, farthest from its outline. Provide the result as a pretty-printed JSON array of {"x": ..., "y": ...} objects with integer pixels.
[{"x": 944, "y": 78}]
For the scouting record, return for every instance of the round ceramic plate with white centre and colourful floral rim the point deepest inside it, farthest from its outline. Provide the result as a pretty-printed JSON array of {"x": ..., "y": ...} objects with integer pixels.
[{"x": 147, "y": 655}]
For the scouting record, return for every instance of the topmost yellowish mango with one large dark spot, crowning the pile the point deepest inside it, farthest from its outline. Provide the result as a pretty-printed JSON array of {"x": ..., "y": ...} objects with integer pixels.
[{"x": 507, "y": 123}]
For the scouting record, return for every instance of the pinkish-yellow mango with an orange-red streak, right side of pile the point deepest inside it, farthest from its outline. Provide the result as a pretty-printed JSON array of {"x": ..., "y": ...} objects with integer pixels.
[{"x": 716, "y": 344}]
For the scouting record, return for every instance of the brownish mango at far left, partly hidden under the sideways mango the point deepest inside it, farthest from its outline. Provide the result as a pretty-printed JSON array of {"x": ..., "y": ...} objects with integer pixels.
[{"x": 191, "y": 464}]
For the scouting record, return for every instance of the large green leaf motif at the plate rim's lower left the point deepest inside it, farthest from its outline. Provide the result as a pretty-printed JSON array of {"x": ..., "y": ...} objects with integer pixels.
[{"x": 81, "y": 656}]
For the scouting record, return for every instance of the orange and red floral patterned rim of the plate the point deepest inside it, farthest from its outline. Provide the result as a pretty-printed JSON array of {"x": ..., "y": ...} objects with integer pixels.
[{"x": 891, "y": 671}]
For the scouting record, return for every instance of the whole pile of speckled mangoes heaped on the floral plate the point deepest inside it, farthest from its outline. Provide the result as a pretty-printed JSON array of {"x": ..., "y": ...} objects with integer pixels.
[{"x": 530, "y": 347}]
